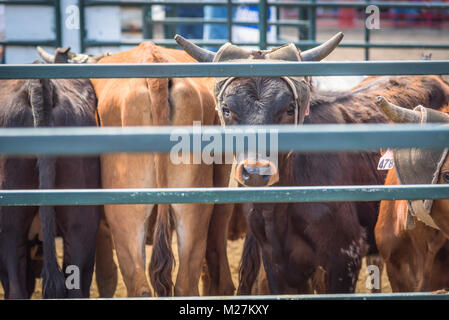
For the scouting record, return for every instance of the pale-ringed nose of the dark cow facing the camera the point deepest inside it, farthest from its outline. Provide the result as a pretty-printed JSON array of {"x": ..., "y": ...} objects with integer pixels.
[{"x": 260, "y": 174}]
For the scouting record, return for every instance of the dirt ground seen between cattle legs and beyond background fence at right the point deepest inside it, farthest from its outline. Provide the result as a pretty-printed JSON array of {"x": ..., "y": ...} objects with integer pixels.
[{"x": 341, "y": 54}]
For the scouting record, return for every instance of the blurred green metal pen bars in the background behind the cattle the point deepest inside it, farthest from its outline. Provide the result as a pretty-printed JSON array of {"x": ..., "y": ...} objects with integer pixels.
[{"x": 263, "y": 23}]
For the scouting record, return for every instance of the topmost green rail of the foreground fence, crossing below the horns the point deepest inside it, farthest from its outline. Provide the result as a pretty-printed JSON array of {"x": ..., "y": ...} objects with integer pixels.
[{"x": 182, "y": 70}]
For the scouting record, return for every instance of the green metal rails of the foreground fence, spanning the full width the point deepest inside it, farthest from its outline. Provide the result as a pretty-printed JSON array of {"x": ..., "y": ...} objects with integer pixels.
[{"x": 307, "y": 138}]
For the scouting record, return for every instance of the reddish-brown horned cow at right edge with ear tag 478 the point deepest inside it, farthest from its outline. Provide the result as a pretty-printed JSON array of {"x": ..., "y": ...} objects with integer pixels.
[{"x": 416, "y": 253}]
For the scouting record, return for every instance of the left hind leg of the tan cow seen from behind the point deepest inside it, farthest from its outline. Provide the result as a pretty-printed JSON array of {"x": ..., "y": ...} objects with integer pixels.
[{"x": 128, "y": 223}]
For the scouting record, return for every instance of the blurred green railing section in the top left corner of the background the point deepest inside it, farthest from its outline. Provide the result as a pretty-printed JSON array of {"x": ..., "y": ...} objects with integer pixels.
[{"x": 56, "y": 42}]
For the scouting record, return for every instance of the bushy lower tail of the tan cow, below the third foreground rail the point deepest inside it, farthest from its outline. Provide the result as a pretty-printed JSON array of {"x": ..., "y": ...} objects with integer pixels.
[{"x": 162, "y": 259}]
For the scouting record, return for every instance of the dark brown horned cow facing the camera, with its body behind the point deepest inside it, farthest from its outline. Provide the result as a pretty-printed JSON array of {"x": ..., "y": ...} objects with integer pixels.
[{"x": 299, "y": 241}]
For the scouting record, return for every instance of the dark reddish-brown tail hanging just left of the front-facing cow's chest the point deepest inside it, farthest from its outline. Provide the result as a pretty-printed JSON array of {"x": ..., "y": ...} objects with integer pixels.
[{"x": 250, "y": 264}]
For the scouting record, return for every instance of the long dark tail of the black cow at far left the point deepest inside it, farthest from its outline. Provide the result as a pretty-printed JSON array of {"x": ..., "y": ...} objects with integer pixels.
[{"x": 40, "y": 93}]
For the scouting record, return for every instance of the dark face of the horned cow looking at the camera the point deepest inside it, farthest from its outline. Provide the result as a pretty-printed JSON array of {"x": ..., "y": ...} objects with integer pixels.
[{"x": 261, "y": 101}]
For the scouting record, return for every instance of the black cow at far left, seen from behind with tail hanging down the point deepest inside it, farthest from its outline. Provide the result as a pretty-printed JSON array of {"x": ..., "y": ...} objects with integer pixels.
[{"x": 48, "y": 103}]
